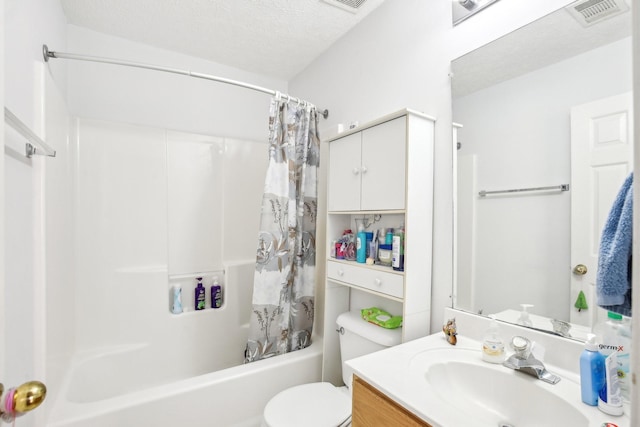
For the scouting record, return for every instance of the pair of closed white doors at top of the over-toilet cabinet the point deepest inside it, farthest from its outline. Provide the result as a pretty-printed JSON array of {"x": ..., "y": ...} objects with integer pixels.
[{"x": 368, "y": 169}]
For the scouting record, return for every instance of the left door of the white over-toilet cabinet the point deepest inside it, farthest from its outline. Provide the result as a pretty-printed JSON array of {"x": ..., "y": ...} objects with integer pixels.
[{"x": 344, "y": 173}]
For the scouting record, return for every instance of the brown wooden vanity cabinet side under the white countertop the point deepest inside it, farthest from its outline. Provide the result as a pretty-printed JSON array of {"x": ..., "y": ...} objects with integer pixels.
[{"x": 372, "y": 408}]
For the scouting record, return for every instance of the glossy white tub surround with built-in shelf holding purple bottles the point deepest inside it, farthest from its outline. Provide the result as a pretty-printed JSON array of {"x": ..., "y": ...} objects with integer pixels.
[{"x": 134, "y": 188}]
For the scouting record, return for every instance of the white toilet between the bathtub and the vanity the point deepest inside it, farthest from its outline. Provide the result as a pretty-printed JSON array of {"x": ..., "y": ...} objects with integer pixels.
[{"x": 322, "y": 404}]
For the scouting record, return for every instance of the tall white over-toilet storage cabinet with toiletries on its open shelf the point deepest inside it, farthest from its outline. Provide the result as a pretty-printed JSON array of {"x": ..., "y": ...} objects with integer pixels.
[{"x": 382, "y": 171}]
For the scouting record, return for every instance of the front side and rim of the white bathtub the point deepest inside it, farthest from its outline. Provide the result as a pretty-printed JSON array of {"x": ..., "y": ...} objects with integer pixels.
[{"x": 231, "y": 397}]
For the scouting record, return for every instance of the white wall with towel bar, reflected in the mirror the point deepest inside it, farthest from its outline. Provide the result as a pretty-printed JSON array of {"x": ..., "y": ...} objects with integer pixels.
[{"x": 520, "y": 133}]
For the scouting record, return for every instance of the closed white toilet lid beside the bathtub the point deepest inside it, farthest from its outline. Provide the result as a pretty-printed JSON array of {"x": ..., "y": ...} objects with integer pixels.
[{"x": 310, "y": 405}]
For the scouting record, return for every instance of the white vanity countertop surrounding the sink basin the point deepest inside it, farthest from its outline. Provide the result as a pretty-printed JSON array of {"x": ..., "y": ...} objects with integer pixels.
[{"x": 396, "y": 372}]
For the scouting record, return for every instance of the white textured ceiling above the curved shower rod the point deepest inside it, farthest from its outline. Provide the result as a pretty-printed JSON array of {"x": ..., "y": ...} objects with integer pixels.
[{"x": 277, "y": 38}]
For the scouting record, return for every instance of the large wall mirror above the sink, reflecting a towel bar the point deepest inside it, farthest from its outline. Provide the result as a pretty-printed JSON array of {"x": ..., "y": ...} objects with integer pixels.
[{"x": 515, "y": 99}]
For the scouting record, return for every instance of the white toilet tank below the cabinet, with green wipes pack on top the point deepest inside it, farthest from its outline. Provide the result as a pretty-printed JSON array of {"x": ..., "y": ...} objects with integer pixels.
[{"x": 359, "y": 337}]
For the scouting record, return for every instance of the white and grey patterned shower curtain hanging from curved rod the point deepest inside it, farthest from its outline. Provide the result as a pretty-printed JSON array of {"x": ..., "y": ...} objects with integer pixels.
[{"x": 283, "y": 289}]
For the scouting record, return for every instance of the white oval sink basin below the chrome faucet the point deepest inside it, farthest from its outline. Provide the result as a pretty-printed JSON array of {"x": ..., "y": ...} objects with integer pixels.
[{"x": 494, "y": 395}]
